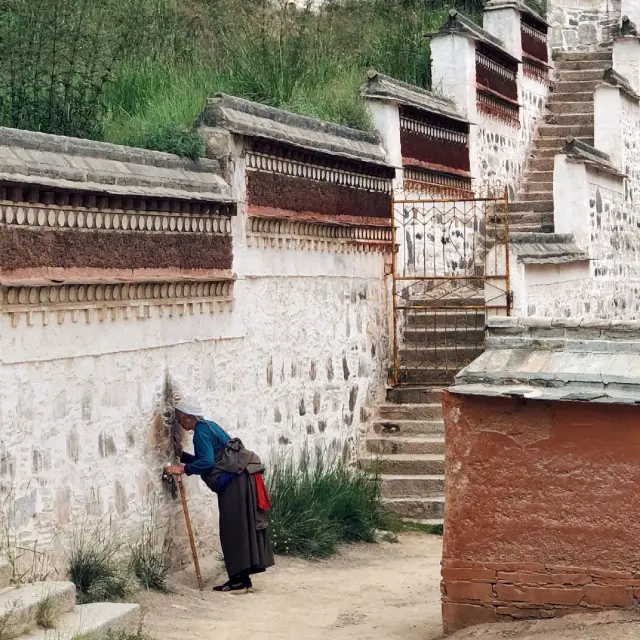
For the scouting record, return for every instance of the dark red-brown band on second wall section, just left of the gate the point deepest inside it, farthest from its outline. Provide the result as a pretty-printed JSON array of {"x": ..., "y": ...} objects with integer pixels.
[{"x": 289, "y": 193}]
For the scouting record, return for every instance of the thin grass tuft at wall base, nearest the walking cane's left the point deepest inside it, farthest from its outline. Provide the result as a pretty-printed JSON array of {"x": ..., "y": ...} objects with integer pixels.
[{"x": 149, "y": 558}]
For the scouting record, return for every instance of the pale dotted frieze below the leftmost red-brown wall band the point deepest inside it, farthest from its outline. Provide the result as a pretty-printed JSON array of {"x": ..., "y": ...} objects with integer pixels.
[{"x": 101, "y": 302}]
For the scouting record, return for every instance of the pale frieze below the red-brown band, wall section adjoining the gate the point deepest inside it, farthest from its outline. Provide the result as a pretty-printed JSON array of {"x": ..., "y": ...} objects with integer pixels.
[{"x": 289, "y": 234}]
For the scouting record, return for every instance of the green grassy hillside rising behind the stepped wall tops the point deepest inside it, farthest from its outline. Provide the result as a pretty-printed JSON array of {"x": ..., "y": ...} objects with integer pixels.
[{"x": 138, "y": 71}]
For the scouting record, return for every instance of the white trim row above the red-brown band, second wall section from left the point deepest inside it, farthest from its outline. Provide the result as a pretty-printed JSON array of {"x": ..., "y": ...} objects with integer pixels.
[{"x": 273, "y": 164}]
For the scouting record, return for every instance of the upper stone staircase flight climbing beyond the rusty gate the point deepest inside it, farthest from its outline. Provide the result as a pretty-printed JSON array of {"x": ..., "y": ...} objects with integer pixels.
[{"x": 570, "y": 113}]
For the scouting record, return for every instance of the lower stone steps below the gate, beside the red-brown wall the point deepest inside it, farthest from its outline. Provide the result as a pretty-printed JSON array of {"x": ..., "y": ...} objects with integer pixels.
[{"x": 407, "y": 449}]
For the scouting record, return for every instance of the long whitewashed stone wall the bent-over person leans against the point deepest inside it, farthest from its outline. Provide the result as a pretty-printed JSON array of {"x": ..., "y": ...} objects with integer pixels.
[{"x": 302, "y": 357}]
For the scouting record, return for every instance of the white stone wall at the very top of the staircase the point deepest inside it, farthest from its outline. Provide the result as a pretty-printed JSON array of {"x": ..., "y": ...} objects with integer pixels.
[{"x": 583, "y": 24}]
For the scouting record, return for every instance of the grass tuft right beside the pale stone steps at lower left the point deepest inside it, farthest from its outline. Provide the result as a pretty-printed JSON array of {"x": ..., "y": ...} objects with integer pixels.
[{"x": 94, "y": 568}]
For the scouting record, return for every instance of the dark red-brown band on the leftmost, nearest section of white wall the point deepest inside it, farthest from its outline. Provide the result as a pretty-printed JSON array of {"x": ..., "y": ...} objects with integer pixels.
[{"x": 28, "y": 248}]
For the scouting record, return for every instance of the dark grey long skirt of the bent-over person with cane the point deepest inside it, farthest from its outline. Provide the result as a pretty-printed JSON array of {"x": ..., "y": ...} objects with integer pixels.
[{"x": 245, "y": 543}]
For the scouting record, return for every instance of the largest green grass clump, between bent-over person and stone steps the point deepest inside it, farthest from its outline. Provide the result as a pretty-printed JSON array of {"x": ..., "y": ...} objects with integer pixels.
[{"x": 319, "y": 502}]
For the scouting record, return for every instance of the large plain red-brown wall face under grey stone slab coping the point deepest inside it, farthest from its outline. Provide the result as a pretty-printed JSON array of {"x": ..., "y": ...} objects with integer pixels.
[{"x": 542, "y": 516}]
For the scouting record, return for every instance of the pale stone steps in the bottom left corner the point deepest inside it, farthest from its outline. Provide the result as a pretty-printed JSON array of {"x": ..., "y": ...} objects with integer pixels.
[{"x": 23, "y": 609}]
